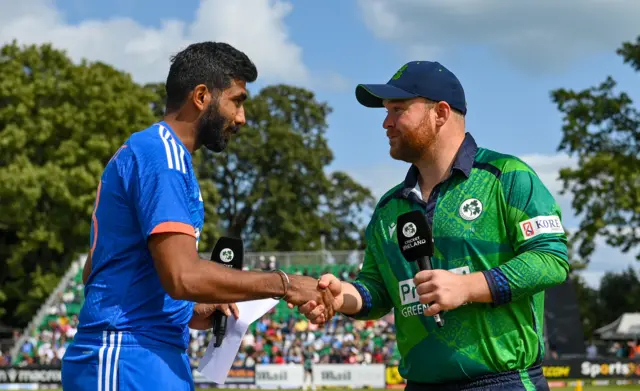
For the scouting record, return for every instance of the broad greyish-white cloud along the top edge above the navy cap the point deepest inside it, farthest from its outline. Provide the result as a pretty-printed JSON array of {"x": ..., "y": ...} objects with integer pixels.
[{"x": 537, "y": 36}]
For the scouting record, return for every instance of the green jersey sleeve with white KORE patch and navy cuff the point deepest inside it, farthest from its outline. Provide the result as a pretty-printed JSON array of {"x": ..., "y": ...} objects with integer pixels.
[{"x": 534, "y": 226}]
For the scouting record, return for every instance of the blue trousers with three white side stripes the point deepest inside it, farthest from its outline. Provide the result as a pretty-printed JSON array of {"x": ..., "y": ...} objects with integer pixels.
[{"x": 119, "y": 361}]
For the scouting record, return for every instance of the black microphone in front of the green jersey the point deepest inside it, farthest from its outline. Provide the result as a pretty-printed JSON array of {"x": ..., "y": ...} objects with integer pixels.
[{"x": 415, "y": 240}]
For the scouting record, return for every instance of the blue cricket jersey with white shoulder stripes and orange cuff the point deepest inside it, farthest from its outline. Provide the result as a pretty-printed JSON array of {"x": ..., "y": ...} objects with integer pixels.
[{"x": 147, "y": 187}]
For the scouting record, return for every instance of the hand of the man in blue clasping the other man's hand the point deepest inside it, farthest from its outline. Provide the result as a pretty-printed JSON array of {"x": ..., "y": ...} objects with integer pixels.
[{"x": 304, "y": 290}]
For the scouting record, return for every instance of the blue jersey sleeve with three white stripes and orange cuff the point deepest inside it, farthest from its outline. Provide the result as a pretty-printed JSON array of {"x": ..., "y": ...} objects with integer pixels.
[{"x": 158, "y": 186}]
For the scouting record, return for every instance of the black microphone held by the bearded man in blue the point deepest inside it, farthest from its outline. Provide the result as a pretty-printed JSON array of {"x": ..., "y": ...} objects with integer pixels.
[{"x": 228, "y": 252}]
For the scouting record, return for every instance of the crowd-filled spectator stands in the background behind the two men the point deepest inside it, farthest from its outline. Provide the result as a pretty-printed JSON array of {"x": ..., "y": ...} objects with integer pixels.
[{"x": 279, "y": 337}]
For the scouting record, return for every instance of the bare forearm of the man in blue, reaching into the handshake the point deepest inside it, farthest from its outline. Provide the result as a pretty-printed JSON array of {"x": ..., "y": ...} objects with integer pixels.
[{"x": 209, "y": 282}]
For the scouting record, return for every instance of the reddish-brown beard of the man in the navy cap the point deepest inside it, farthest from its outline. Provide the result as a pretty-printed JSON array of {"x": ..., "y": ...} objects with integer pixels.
[{"x": 412, "y": 145}]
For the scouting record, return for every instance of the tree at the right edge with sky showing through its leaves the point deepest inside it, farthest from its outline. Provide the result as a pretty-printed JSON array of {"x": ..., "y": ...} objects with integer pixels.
[{"x": 602, "y": 128}]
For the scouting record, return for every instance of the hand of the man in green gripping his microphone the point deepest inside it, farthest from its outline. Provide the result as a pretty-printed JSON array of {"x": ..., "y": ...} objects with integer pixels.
[{"x": 441, "y": 290}]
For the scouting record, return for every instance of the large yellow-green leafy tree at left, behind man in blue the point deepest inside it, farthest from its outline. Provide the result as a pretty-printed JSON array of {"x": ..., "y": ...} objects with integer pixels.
[{"x": 60, "y": 123}]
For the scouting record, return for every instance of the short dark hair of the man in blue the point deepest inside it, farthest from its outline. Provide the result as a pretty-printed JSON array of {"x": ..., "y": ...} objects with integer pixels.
[{"x": 214, "y": 64}]
